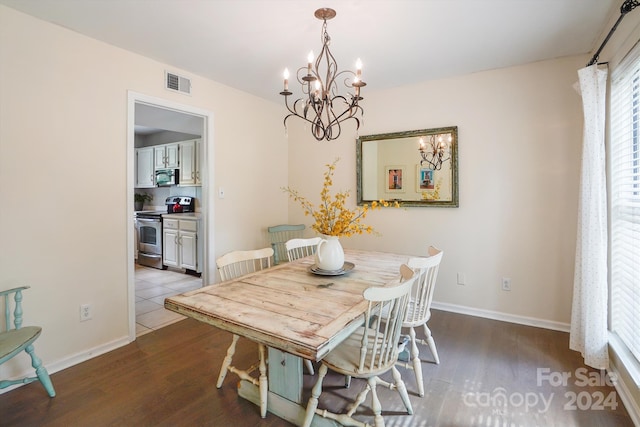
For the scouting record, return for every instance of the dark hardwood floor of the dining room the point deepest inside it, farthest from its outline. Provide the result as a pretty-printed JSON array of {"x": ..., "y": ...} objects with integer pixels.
[{"x": 491, "y": 374}]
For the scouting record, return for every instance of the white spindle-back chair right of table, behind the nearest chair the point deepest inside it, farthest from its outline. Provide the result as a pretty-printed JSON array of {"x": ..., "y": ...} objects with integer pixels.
[{"x": 419, "y": 309}]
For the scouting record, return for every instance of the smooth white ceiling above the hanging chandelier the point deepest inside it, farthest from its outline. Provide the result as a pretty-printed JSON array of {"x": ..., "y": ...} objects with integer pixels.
[{"x": 246, "y": 44}]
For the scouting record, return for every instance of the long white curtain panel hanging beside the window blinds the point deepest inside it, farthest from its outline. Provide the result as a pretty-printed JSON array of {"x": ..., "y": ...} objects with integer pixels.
[{"x": 589, "y": 334}]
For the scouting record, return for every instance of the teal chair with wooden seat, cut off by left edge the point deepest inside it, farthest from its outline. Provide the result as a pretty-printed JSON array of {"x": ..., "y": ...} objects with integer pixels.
[{"x": 14, "y": 339}]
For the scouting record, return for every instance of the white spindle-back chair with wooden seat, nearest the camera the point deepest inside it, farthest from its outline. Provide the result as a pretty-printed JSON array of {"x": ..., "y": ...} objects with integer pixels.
[{"x": 370, "y": 351}]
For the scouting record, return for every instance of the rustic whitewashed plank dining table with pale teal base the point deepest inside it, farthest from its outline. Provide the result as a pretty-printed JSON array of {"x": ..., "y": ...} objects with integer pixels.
[{"x": 295, "y": 313}]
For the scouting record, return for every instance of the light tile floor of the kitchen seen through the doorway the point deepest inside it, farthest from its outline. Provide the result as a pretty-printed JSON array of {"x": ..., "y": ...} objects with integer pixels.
[{"x": 152, "y": 287}]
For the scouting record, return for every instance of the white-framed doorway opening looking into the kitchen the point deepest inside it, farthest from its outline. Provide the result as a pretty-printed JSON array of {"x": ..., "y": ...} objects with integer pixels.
[{"x": 156, "y": 125}]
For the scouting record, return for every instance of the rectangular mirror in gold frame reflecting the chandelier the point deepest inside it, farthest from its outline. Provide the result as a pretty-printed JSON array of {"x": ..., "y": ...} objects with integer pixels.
[{"x": 414, "y": 168}]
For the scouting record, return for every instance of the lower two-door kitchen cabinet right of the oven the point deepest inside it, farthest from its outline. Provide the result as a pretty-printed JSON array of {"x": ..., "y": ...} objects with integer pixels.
[{"x": 181, "y": 245}]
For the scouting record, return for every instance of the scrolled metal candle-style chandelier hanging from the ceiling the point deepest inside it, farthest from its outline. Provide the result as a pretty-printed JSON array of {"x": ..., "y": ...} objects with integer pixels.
[{"x": 321, "y": 105}]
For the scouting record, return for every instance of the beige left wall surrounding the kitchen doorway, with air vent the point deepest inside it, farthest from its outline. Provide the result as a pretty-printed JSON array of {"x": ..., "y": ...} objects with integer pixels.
[{"x": 64, "y": 219}]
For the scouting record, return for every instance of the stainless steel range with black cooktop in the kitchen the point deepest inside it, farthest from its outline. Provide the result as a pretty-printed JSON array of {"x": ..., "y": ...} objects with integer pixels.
[{"x": 149, "y": 228}]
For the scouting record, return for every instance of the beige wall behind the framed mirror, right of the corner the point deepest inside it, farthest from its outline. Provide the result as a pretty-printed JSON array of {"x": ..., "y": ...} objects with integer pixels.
[{"x": 519, "y": 157}]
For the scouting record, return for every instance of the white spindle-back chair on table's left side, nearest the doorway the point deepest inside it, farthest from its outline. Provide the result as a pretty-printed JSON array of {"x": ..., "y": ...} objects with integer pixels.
[{"x": 230, "y": 266}]
